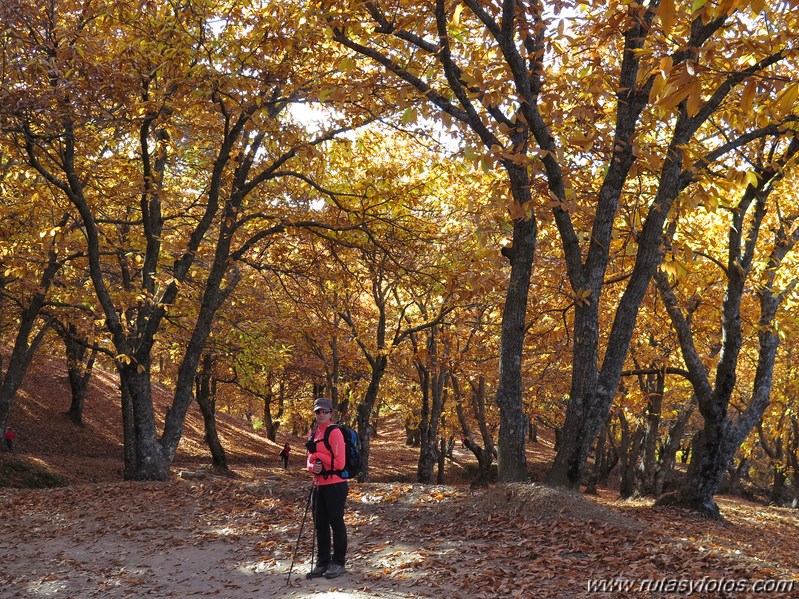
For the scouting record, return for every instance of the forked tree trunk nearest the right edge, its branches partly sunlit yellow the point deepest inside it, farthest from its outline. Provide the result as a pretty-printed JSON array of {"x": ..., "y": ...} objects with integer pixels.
[{"x": 721, "y": 436}]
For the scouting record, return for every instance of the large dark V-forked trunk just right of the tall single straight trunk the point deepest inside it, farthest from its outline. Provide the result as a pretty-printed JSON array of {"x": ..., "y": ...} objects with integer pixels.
[{"x": 593, "y": 387}]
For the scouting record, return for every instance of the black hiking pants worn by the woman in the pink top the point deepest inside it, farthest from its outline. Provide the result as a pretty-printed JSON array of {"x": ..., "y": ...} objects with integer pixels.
[{"x": 328, "y": 509}]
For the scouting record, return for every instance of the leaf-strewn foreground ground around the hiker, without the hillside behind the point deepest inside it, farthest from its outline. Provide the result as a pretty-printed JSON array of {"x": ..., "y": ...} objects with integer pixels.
[{"x": 220, "y": 537}]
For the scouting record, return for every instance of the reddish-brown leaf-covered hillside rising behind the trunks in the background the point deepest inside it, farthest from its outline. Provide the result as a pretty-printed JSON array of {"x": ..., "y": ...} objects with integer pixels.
[{"x": 48, "y": 440}]
